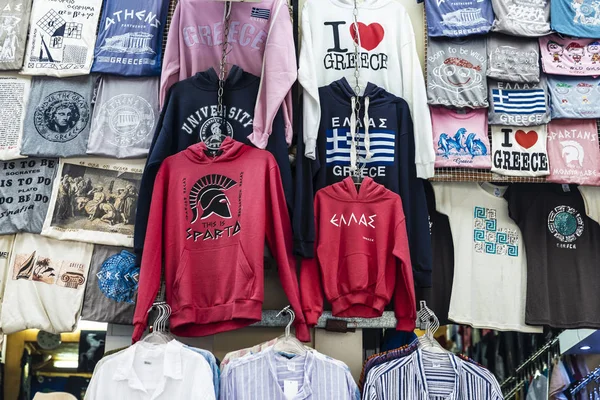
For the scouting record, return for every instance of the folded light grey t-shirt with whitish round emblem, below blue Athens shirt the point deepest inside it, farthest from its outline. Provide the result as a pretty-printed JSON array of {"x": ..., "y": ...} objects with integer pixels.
[{"x": 124, "y": 117}]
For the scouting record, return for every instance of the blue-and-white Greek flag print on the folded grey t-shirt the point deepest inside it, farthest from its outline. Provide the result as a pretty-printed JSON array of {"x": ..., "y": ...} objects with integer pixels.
[{"x": 519, "y": 101}]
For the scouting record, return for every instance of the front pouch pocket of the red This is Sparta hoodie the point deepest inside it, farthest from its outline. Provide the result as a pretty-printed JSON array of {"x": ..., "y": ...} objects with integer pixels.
[{"x": 213, "y": 277}]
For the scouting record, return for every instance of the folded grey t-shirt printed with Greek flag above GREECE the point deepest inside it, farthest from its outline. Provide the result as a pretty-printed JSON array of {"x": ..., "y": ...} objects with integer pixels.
[{"x": 522, "y": 104}]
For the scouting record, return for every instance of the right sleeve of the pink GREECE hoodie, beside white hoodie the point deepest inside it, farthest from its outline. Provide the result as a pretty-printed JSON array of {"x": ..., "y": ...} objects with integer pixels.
[{"x": 279, "y": 74}]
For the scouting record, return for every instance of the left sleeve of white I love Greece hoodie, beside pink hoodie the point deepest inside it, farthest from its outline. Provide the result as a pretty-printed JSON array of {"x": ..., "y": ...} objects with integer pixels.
[{"x": 307, "y": 76}]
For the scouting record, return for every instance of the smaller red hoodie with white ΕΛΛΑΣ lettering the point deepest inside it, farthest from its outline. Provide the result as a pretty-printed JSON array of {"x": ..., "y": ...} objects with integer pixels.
[{"x": 362, "y": 258}]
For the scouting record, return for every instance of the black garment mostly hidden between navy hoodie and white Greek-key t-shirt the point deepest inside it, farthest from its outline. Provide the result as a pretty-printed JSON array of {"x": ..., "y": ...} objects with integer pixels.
[{"x": 442, "y": 274}]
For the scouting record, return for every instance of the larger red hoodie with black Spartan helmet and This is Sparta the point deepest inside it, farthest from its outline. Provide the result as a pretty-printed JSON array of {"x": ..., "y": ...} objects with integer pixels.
[{"x": 208, "y": 222}]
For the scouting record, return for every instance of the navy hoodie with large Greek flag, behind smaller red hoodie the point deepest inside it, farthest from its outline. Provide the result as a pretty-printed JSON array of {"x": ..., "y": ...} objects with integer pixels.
[{"x": 392, "y": 165}]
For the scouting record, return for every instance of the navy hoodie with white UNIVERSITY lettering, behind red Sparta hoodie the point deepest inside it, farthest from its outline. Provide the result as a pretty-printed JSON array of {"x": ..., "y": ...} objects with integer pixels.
[{"x": 190, "y": 116}]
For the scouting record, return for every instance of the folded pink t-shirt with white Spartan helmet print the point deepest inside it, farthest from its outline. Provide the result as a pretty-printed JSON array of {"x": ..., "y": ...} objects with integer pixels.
[{"x": 573, "y": 151}]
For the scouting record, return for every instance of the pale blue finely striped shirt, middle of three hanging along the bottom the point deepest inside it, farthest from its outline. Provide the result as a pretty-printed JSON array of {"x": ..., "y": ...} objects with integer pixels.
[{"x": 268, "y": 375}]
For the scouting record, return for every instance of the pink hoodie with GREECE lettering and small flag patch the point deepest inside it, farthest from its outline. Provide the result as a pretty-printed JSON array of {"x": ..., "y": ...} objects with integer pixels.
[{"x": 261, "y": 43}]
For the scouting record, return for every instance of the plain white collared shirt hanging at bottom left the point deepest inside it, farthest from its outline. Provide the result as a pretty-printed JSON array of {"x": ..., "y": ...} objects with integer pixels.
[{"x": 153, "y": 372}]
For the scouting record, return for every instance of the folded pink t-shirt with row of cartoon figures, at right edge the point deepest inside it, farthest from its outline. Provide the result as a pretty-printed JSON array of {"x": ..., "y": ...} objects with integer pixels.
[{"x": 564, "y": 56}]
